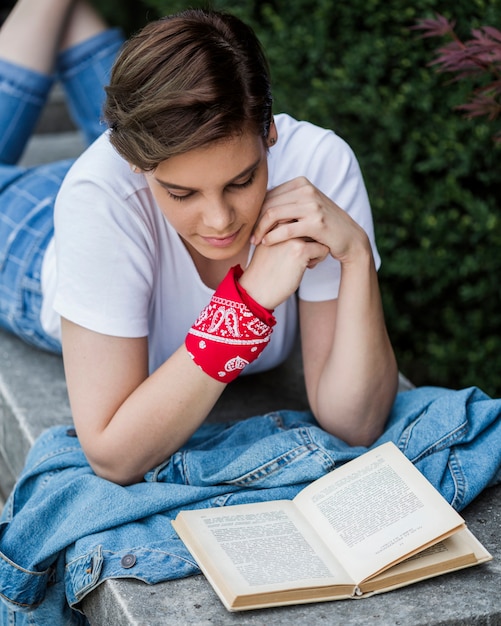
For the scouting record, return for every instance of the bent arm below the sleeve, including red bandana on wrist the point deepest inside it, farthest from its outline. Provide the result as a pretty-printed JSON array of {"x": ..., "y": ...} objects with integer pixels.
[{"x": 118, "y": 406}]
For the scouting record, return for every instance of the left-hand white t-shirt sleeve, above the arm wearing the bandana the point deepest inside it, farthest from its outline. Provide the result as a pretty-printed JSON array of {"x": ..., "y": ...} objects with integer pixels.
[{"x": 105, "y": 259}]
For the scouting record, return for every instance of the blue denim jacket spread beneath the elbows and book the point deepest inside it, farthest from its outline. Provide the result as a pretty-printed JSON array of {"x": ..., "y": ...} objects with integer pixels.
[{"x": 64, "y": 528}]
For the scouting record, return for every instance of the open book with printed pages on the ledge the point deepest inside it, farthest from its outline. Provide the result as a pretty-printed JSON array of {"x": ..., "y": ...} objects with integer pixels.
[{"x": 372, "y": 525}]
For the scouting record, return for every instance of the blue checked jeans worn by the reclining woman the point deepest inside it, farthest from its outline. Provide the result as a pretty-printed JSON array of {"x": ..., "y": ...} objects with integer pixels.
[{"x": 27, "y": 195}]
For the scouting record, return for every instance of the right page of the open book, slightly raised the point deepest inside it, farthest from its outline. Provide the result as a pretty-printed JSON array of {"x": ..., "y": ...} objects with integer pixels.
[{"x": 375, "y": 510}]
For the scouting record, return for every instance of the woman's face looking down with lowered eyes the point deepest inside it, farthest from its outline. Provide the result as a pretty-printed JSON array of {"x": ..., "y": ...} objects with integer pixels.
[{"x": 213, "y": 195}]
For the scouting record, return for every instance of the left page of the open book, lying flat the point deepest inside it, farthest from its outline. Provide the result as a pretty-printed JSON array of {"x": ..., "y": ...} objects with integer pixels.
[{"x": 266, "y": 546}]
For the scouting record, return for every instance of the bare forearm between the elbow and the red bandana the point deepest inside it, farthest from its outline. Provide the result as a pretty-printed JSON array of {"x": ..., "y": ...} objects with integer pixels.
[{"x": 154, "y": 421}]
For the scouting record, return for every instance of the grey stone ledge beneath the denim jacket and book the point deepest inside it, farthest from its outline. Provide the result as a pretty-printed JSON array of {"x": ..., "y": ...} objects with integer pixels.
[{"x": 33, "y": 397}]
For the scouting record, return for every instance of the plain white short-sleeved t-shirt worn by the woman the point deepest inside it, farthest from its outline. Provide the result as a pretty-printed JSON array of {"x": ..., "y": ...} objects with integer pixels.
[{"x": 117, "y": 266}]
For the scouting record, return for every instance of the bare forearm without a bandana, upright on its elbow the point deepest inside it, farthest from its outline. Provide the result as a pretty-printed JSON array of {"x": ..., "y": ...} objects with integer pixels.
[{"x": 358, "y": 381}]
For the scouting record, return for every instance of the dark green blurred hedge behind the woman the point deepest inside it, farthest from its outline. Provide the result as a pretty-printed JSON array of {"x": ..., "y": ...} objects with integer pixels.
[{"x": 433, "y": 177}]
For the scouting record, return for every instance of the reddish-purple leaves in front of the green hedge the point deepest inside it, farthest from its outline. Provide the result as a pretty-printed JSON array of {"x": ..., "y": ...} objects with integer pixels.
[{"x": 476, "y": 58}]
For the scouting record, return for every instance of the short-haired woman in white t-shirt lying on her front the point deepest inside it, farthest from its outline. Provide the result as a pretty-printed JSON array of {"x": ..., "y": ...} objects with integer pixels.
[{"x": 192, "y": 241}]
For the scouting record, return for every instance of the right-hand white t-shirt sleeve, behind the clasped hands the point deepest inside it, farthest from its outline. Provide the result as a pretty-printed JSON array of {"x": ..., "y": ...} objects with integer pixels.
[{"x": 330, "y": 164}]
